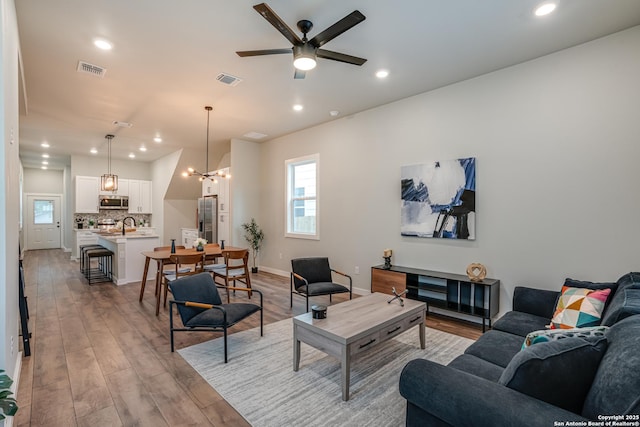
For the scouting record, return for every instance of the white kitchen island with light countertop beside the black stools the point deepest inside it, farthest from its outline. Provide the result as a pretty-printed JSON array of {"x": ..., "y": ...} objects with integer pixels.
[{"x": 128, "y": 261}]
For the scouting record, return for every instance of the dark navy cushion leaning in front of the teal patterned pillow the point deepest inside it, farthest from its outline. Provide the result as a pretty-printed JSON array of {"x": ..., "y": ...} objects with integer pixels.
[{"x": 557, "y": 372}]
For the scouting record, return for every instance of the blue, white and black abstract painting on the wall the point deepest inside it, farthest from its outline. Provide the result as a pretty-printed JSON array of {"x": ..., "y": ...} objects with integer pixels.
[{"x": 439, "y": 199}]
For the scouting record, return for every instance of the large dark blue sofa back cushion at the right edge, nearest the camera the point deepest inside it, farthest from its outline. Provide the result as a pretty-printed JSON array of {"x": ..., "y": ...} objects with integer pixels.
[{"x": 616, "y": 386}]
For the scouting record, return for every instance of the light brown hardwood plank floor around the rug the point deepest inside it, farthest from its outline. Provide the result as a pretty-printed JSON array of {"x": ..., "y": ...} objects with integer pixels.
[{"x": 101, "y": 358}]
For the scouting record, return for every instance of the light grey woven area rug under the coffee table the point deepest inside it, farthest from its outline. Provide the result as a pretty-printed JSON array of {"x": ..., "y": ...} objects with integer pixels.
[{"x": 259, "y": 381}]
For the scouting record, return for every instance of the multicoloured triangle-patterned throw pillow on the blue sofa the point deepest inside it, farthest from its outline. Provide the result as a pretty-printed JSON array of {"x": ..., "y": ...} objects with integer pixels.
[{"x": 579, "y": 308}]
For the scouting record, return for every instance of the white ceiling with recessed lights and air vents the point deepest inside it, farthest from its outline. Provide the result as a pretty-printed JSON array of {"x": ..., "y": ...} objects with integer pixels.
[{"x": 166, "y": 56}]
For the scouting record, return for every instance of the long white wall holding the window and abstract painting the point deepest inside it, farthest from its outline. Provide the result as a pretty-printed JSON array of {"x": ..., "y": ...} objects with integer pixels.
[{"x": 556, "y": 142}]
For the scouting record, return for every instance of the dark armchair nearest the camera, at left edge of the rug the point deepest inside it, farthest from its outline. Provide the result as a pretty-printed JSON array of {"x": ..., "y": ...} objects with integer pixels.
[{"x": 201, "y": 308}]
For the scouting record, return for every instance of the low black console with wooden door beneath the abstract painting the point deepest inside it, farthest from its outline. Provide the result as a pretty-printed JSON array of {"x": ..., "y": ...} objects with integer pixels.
[{"x": 446, "y": 291}]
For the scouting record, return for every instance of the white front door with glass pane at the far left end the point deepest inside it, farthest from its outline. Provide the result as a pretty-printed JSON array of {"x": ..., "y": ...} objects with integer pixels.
[{"x": 43, "y": 222}]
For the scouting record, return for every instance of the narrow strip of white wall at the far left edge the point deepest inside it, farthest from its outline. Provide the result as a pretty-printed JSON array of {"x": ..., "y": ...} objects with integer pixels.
[{"x": 10, "y": 187}]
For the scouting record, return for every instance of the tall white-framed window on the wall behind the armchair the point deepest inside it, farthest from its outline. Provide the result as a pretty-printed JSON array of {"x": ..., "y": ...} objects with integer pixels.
[{"x": 302, "y": 197}]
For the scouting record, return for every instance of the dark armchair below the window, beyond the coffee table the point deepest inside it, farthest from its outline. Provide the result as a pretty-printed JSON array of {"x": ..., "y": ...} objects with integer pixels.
[{"x": 312, "y": 277}]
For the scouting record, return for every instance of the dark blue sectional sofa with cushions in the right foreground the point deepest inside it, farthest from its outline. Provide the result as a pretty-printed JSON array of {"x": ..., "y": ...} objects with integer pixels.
[{"x": 575, "y": 379}]
